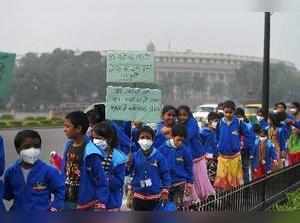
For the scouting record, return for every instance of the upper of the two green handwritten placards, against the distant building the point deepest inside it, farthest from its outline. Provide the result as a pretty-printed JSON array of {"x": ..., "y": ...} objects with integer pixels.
[{"x": 130, "y": 67}]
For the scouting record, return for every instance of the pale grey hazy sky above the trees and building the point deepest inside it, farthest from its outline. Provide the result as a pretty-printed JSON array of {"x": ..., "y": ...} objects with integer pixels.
[{"x": 41, "y": 26}]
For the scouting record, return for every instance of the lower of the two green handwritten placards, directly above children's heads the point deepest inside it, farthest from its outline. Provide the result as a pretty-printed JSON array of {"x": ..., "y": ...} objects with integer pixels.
[{"x": 133, "y": 104}]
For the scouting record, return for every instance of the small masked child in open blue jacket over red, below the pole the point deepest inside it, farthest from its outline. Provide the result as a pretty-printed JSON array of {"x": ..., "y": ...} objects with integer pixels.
[{"x": 264, "y": 154}]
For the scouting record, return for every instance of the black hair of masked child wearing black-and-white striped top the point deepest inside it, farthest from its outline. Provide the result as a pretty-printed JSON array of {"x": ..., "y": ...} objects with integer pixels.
[{"x": 106, "y": 130}]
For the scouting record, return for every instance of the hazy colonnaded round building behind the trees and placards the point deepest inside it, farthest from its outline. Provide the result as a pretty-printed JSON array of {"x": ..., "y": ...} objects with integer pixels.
[{"x": 203, "y": 77}]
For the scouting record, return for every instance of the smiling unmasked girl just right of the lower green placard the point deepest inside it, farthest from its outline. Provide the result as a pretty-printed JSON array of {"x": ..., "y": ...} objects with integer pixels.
[{"x": 163, "y": 131}]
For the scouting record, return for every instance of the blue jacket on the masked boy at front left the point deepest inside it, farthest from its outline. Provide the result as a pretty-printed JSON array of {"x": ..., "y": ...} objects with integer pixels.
[{"x": 35, "y": 195}]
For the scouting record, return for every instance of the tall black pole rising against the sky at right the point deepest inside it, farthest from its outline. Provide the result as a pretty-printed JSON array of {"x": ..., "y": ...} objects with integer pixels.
[{"x": 266, "y": 65}]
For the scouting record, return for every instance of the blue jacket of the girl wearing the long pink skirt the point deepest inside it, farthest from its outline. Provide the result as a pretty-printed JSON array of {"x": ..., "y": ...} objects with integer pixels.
[{"x": 193, "y": 140}]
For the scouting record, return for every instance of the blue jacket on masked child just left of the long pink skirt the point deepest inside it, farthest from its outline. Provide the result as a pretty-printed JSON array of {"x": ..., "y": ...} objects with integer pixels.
[{"x": 180, "y": 163}]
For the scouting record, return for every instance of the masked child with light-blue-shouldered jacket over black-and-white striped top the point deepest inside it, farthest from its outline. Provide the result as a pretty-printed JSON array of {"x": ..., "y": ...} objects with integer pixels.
[{"x": 114, "y": 163}]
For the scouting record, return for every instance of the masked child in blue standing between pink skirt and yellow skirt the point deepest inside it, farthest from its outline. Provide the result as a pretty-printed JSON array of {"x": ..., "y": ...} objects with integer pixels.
[{"x": 208, "y": 136}]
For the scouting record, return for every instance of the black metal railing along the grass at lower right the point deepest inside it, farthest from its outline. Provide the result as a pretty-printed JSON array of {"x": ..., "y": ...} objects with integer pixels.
[{"x": 258, "y": 195}]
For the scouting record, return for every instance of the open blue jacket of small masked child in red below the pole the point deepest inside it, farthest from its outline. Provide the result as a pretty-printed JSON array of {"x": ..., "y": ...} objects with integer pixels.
[{"x": 270, "y": 155}]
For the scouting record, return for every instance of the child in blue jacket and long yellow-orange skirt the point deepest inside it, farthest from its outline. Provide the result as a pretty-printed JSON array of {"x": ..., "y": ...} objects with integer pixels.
[{"x": 229, "y": 132}]
